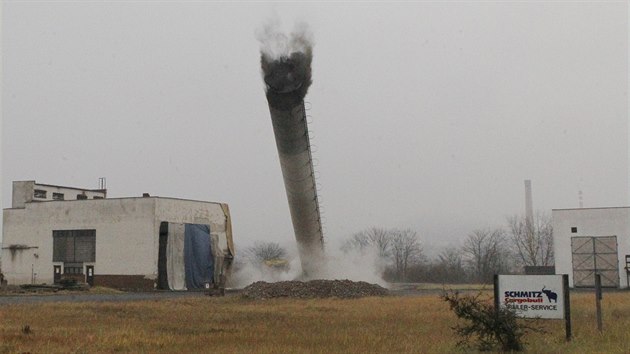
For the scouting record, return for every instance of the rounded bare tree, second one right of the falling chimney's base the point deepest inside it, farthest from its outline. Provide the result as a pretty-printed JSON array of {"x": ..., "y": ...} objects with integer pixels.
[{"x": 405, "y": 251}]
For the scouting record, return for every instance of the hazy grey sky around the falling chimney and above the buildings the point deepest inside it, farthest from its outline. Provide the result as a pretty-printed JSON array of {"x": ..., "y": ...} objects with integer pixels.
[{"x": 425, "y": 115}]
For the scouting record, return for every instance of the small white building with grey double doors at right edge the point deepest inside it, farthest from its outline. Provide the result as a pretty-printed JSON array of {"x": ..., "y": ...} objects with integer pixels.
[{"x": 592, "y": 240}]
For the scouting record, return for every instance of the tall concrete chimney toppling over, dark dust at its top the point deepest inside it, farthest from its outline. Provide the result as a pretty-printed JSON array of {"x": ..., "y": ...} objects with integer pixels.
[{"x": 287, "y": 78}]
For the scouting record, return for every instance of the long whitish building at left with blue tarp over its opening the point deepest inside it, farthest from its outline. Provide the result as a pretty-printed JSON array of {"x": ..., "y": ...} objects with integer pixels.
[{"x": 54, "y": 232}]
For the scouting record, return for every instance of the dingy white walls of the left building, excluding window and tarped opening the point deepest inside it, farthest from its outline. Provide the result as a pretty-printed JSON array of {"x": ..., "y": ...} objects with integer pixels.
[{"x": 127, "y": 230}]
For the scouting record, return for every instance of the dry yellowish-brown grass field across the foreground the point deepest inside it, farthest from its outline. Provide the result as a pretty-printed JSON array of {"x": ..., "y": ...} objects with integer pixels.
[{"x": 419, "y": 324}]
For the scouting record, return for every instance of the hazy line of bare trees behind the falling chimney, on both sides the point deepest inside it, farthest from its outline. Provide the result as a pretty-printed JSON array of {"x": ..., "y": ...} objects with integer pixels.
[{"x": 505, "y": 249}]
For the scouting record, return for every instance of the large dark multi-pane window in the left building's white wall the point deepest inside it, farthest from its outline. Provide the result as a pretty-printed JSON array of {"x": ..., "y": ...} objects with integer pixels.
[{"x": 74, "y": 246}]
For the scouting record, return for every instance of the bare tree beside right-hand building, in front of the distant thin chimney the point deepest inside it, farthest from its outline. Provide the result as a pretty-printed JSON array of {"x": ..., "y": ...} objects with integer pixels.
[{"x": 533, "y": 239}]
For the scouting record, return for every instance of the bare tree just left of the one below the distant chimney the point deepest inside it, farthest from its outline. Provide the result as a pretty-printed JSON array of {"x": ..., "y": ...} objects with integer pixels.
[{"x": 485, "y": 253}]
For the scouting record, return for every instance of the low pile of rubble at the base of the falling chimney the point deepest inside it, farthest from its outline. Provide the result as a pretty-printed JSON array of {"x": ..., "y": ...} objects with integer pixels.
[{"x": 343, "y": 289}]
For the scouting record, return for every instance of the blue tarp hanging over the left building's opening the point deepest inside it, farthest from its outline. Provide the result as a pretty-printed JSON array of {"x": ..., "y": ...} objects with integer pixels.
[{"x": 198, "y": 261}]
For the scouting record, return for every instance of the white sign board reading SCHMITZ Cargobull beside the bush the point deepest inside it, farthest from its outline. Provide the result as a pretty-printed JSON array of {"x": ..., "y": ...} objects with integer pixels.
[{"x": 532, "y": 296}]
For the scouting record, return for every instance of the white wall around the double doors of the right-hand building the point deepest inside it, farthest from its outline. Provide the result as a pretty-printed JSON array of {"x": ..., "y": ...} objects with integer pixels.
[{"x": 590, "y": 222}]
